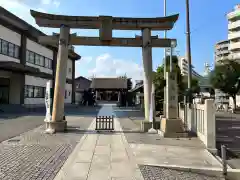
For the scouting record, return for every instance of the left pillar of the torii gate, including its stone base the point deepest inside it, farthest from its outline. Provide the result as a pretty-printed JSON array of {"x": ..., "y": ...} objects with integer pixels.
[{"x": 58, "y": 122}]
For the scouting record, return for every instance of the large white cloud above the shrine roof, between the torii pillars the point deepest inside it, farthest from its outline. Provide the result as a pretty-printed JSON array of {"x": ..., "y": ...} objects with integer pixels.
[{"x": 107, "y": 66}]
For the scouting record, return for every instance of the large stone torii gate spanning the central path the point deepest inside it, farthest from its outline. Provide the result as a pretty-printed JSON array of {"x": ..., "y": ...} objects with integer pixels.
[{"x": 105, "y": 24}]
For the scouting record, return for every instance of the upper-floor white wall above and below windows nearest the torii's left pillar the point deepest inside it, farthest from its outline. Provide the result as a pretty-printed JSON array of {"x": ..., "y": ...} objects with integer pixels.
[{"x": 39, "y": 49}]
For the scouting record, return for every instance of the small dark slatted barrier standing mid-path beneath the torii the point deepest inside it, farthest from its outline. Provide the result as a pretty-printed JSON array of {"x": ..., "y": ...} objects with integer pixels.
[{"x": 104, "y": 123}]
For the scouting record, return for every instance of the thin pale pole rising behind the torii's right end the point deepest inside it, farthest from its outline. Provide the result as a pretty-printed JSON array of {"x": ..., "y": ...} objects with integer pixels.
[{"x": 165, "y": 61}]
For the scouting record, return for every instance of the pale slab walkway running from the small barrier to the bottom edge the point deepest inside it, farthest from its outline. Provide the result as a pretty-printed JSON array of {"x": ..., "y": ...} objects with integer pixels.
[{"x": 101, "y": 156}]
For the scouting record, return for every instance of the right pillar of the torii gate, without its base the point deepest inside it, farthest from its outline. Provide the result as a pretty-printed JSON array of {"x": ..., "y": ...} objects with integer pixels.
[{"x": 147, "y": 68}]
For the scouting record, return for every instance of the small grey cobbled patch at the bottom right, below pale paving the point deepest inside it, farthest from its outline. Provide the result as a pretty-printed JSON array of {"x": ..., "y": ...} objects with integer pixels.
[{"x": 159, "y": 173}]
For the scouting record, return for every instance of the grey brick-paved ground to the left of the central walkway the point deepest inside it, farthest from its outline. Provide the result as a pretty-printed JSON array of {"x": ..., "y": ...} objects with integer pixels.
[{"x": 36, "y": 155}]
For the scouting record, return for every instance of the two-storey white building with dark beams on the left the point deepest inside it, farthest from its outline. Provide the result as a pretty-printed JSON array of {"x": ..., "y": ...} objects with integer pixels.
[{"x": 26, "y": 65}]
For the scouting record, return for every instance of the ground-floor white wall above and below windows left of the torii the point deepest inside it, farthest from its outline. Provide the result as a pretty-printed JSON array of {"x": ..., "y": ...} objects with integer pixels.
[{"x": 35, "y": 81}]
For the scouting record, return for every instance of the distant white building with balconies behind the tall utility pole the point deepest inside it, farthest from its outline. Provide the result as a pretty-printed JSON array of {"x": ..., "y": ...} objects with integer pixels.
[{"x": 183, "y": 65}]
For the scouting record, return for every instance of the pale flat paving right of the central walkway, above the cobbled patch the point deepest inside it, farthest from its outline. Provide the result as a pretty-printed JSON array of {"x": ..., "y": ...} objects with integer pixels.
[{"x": 173, "y": 155}]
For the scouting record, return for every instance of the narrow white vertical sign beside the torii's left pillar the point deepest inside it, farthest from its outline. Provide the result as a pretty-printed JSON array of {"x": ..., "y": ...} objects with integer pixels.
[{"x": 48, "y": 101}]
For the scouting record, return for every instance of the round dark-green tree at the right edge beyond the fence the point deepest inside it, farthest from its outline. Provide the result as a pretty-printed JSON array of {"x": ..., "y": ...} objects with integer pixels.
[{"x": 226, "y": 77}]
